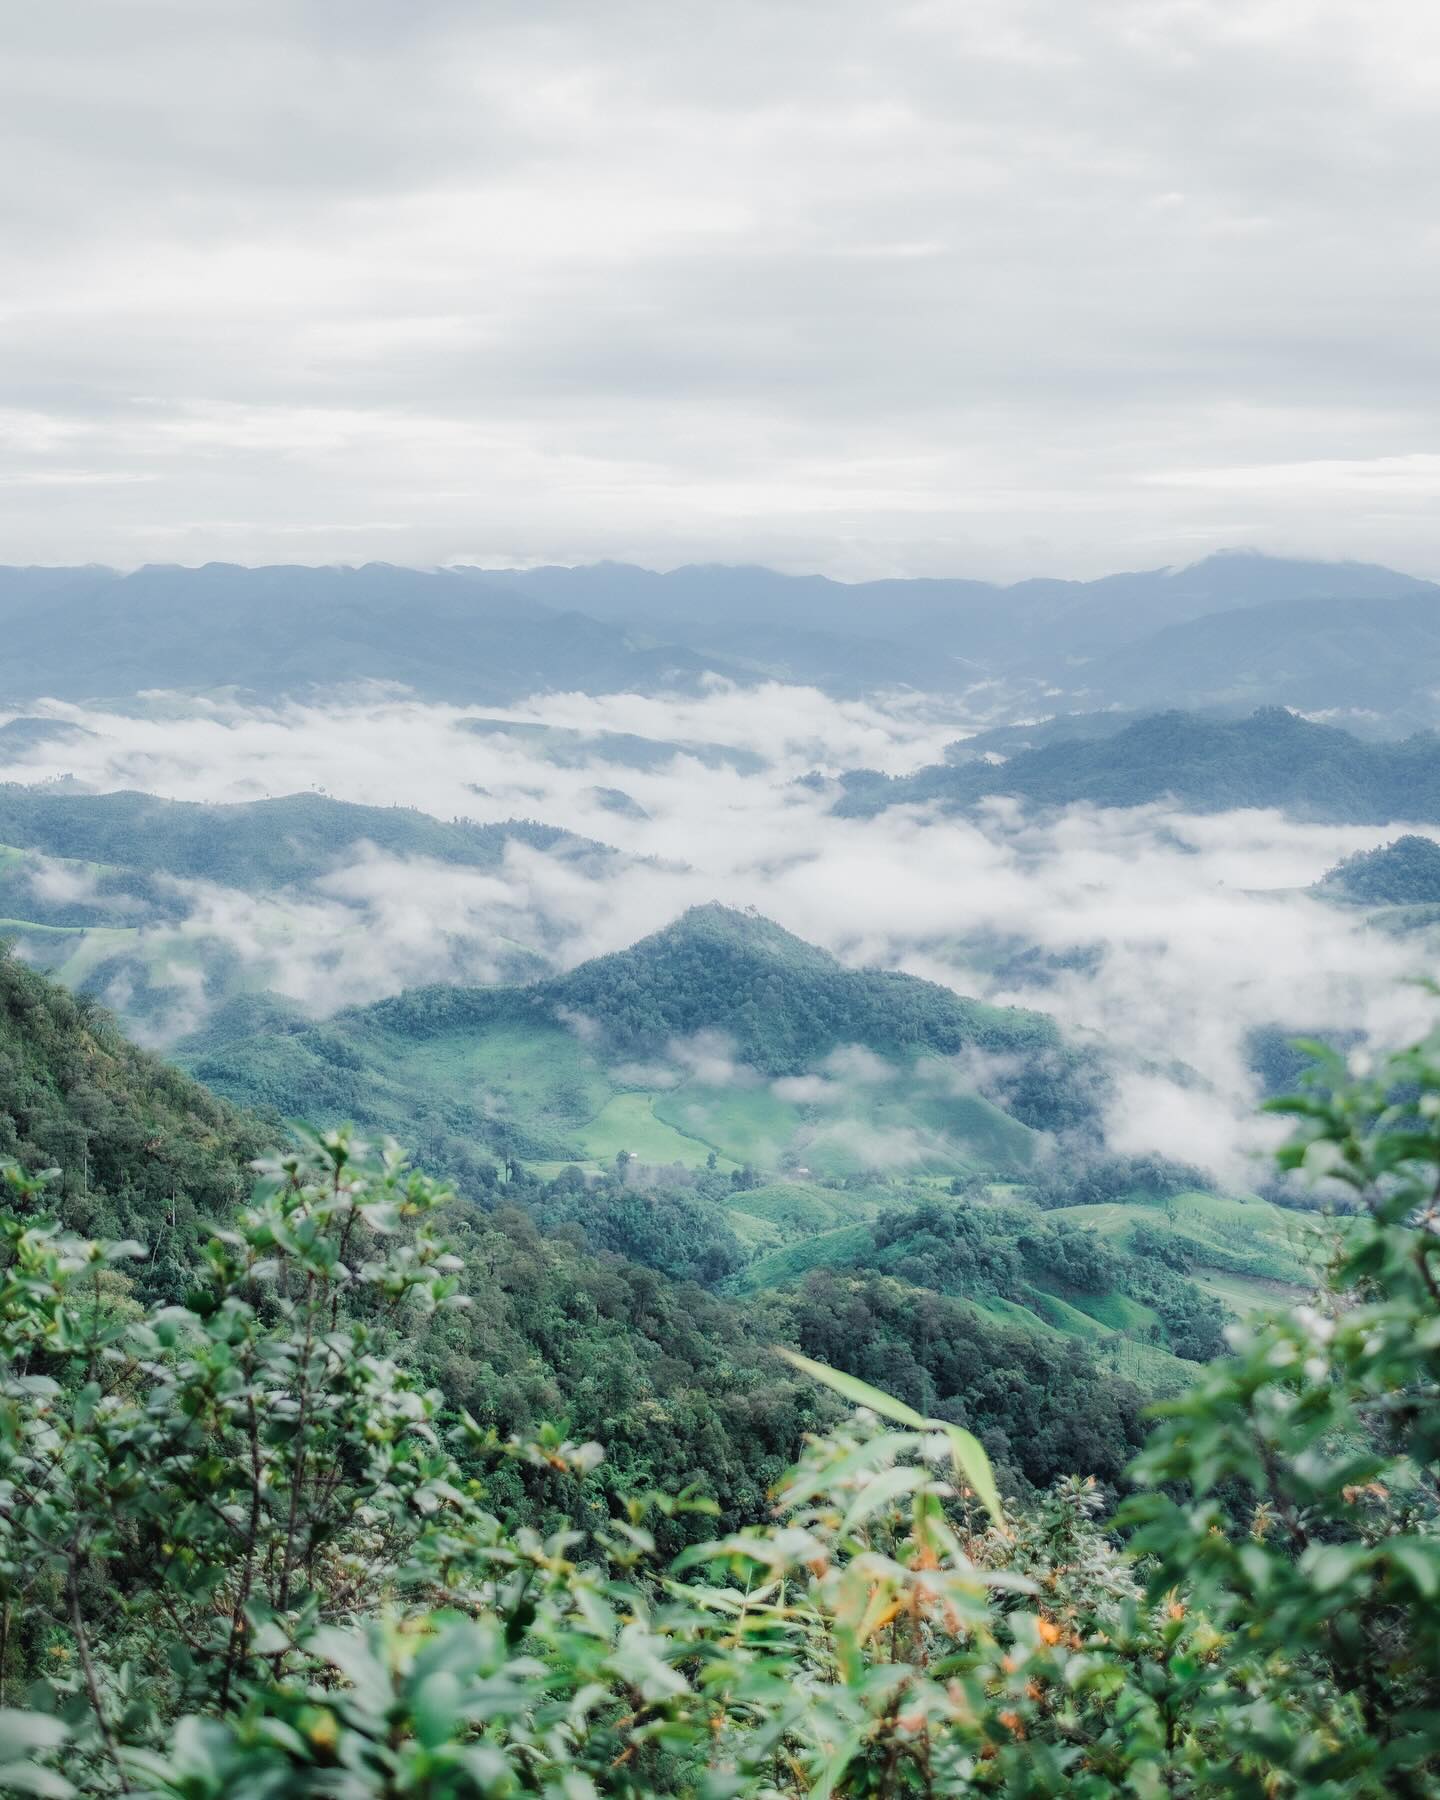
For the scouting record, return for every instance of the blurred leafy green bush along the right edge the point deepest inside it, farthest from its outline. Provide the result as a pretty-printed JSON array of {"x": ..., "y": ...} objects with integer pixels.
[{"x": 1297, "y": 1488}]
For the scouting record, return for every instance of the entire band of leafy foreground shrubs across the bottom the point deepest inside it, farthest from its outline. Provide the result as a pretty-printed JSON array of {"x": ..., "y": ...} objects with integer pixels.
[{"x": 246, "y": 1554}]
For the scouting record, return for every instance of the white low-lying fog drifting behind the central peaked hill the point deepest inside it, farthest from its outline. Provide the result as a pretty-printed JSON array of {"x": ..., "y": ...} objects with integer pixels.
[{"x": 1196, "y": 928}]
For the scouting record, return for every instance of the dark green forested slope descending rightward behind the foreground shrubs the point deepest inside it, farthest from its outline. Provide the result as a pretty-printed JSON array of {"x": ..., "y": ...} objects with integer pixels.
[{"x": 681, "y": 1383}]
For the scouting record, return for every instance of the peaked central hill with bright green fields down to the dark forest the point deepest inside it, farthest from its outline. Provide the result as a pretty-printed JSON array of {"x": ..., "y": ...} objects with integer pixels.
[{"x": 778, "y": 1110}]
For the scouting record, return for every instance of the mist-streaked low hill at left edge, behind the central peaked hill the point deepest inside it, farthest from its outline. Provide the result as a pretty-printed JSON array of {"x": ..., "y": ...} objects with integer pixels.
[{"x": 172, "y": 908}]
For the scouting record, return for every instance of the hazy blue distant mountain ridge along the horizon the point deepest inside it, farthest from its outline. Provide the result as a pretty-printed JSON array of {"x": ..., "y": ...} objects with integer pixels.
[{"x": 1230, "y": 627}]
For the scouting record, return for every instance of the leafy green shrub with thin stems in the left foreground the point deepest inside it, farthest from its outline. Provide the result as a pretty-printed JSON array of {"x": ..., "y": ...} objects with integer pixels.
[{"x": 184, "y": 1493}]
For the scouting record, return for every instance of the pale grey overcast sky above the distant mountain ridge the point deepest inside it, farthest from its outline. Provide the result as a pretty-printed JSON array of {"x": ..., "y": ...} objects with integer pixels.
[{"x": 976, "y": 287}]
